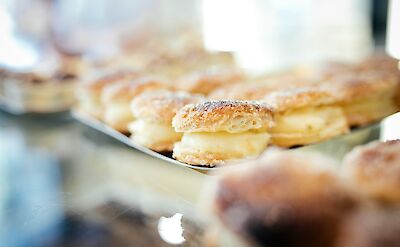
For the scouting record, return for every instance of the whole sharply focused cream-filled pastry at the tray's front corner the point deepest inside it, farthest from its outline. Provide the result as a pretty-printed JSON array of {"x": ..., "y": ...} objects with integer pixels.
[{"x": 219, "y": 131}]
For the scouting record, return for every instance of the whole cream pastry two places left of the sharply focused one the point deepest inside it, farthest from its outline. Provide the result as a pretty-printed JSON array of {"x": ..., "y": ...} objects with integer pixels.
[{"x": 116, "y": 99}]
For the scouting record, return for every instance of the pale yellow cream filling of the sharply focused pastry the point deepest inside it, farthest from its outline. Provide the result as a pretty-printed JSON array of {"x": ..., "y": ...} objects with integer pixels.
[{"x": 238, "y": 145}]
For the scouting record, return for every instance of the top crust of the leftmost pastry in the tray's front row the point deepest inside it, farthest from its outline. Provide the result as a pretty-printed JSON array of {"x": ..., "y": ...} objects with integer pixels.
[{"x": 98, "y": 82}]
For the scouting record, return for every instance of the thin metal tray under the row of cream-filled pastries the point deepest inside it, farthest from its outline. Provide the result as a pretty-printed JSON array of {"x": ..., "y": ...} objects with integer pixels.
[{"x": 336, "y": 147}]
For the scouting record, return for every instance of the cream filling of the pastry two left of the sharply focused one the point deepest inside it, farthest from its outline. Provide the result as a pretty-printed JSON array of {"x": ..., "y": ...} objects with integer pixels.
[{"x": 118, "y": 114}]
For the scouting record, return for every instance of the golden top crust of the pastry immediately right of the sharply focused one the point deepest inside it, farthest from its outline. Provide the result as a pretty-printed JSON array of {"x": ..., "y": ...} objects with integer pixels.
[{"x": 289, "y": 99}]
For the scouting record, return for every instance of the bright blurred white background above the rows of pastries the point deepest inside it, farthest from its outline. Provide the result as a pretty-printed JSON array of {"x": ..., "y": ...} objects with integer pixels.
[{"x": 263, "y": 35}]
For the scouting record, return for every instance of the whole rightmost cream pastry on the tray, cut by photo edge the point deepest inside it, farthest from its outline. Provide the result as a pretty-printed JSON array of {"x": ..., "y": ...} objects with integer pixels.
[{"x": 366, "y": 97}]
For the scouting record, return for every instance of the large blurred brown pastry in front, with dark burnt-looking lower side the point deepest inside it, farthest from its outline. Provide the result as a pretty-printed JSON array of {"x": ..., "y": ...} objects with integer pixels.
[{"x": 284, "y": 199}]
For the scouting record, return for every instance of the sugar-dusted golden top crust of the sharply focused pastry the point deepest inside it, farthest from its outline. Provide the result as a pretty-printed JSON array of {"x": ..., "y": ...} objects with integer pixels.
[{"x": 223, "y": 115}]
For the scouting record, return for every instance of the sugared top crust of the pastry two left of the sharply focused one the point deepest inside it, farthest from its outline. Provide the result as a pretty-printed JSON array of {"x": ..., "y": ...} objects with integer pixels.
[{"x": 127, "y": 90}]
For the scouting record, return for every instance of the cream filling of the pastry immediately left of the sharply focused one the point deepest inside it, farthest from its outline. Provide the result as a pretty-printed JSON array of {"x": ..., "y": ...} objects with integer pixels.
[{"x": 150, "y": 133}]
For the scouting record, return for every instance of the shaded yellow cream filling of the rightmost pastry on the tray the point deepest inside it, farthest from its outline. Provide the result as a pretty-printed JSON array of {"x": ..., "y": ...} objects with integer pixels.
[{"x": 369, "y": 109}]
